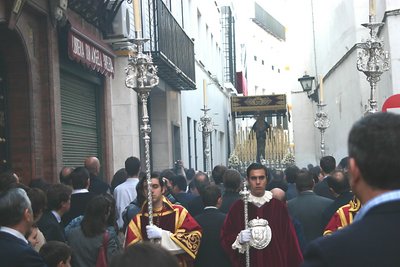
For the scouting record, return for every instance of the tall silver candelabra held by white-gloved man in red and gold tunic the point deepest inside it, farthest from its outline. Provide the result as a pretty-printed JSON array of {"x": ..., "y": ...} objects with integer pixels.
[{"x": 141, "y": 76}]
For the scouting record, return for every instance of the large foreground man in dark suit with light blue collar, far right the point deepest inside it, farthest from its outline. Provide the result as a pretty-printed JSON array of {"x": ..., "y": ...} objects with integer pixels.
[{"x": 372, "y": 239}]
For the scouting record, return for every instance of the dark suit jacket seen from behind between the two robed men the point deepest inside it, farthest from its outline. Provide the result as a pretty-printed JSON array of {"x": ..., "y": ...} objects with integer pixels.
[{"x": 211, "y": 253}]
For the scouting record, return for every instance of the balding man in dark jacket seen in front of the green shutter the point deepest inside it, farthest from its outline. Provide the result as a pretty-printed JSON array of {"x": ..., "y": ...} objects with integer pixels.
[{"x": 97, "y": 186}]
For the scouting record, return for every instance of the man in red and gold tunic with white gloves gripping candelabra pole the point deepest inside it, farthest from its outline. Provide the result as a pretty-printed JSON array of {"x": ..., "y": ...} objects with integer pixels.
[{"x": 172, "y": 224}]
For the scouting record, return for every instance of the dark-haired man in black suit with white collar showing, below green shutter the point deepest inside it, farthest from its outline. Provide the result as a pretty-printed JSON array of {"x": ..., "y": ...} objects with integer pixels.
[{"x": 80, "y": 195}]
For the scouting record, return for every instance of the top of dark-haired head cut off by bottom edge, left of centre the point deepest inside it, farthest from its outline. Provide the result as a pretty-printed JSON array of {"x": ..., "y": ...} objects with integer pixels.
[{"x": 144, "y": 254}]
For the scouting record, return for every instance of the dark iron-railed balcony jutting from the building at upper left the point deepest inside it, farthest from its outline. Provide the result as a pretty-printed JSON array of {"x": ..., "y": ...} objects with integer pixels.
[{"x": 172, "y": 50}]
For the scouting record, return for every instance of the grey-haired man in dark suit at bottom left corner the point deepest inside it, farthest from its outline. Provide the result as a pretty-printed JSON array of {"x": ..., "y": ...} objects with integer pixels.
[{"x": 16, "y": 219}]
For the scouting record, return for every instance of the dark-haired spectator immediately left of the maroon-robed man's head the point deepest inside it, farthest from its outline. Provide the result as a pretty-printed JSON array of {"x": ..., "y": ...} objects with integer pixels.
[{"x": 232, "y": 182}]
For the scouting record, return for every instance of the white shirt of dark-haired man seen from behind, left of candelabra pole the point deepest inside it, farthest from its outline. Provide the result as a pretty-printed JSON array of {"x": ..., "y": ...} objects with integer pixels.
[{"x": 124, "y": 194}]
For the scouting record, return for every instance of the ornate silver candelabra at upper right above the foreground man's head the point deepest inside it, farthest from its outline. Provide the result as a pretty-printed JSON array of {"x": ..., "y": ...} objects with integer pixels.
[{"x": 372, "y": 60}]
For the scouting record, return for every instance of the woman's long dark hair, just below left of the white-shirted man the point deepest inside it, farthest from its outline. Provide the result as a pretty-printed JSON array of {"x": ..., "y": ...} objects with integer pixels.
[{"x": 95, "y": 220}]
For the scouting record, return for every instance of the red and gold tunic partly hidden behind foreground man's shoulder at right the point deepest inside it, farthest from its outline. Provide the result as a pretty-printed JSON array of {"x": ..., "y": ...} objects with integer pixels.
[{"x": 343, "y": 216}]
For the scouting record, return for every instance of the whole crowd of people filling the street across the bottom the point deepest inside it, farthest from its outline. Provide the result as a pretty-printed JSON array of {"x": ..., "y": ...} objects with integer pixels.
[{"x": 343, "y": 214}]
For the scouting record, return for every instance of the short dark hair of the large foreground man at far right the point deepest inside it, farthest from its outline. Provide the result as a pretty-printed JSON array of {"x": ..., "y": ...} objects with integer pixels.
[{"x": 374, "y": 144}]
